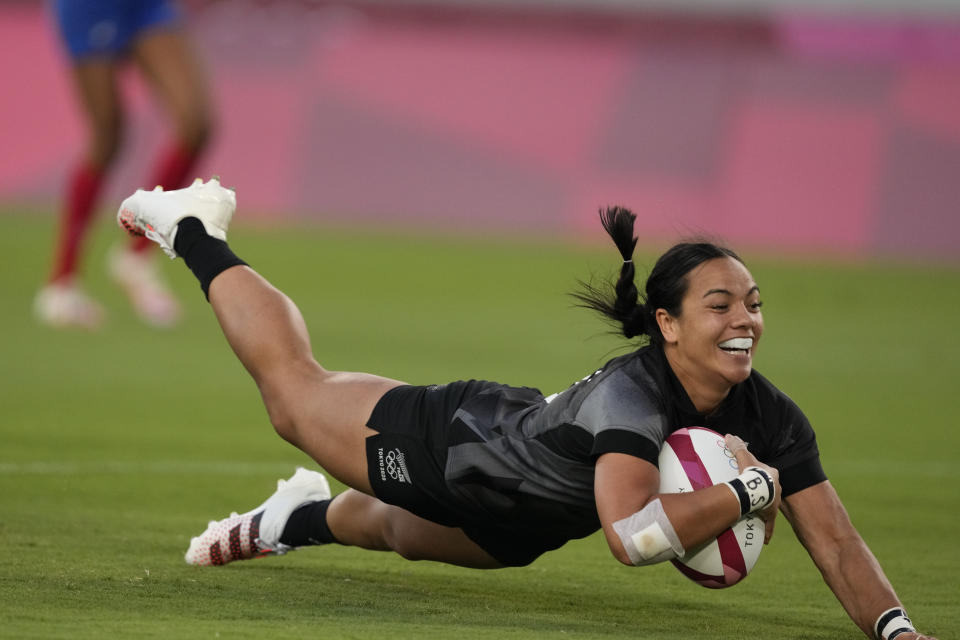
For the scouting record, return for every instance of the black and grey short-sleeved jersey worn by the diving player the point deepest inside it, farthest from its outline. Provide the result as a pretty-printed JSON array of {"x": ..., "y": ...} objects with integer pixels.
[{"x": 514, "y": 454}]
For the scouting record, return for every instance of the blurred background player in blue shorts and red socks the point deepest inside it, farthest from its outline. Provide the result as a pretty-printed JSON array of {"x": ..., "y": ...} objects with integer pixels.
[{"x": 100, "y": 36}]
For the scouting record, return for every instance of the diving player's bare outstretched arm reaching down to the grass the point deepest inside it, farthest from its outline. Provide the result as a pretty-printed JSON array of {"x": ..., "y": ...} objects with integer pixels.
[{"x": 847, "y": 564}]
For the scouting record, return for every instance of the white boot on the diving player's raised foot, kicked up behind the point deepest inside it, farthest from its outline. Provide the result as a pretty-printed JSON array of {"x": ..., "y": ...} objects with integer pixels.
[{"x": 156, "y": 213}]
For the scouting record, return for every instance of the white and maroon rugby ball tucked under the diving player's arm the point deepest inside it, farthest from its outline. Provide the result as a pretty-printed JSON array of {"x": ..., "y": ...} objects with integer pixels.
[{"x": 695, "y": 458}]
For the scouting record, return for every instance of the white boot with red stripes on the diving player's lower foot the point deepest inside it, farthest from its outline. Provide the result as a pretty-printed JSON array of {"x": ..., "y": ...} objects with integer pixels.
[{"x": 257, "y": 533}]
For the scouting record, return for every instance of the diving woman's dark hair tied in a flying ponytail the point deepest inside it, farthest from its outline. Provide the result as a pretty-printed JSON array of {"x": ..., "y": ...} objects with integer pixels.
[{"x": 666, "y": 285}]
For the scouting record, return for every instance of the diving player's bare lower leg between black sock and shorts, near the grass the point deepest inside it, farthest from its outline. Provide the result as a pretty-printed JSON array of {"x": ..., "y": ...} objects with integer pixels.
[{"x": 361, "y": 520}]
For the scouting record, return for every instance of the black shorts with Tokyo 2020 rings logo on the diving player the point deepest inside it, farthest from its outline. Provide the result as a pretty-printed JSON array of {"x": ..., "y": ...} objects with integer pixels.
[{"x": 406, "y": 461}]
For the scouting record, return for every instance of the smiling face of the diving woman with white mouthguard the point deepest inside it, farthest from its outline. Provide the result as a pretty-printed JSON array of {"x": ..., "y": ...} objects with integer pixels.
[{"x": 710, "y": 345}]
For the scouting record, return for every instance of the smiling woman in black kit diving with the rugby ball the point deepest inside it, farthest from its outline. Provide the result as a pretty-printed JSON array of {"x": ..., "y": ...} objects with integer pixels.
[{"x": 483, "y": 475}]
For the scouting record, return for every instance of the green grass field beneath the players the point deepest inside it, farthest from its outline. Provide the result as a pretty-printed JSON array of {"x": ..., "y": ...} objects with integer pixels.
[{"x": 117, "y": 446}]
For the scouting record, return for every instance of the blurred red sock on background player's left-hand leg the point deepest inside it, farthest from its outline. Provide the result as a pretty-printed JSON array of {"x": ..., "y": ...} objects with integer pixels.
[{"x": 82, "y": 191}]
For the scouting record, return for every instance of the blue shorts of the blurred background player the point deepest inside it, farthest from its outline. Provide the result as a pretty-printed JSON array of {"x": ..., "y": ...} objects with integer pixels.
[{"x": 107, "y": 28}]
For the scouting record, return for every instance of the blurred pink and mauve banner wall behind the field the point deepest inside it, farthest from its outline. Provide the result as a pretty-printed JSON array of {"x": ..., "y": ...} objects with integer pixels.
[{"x": 805, "y": 133}]
